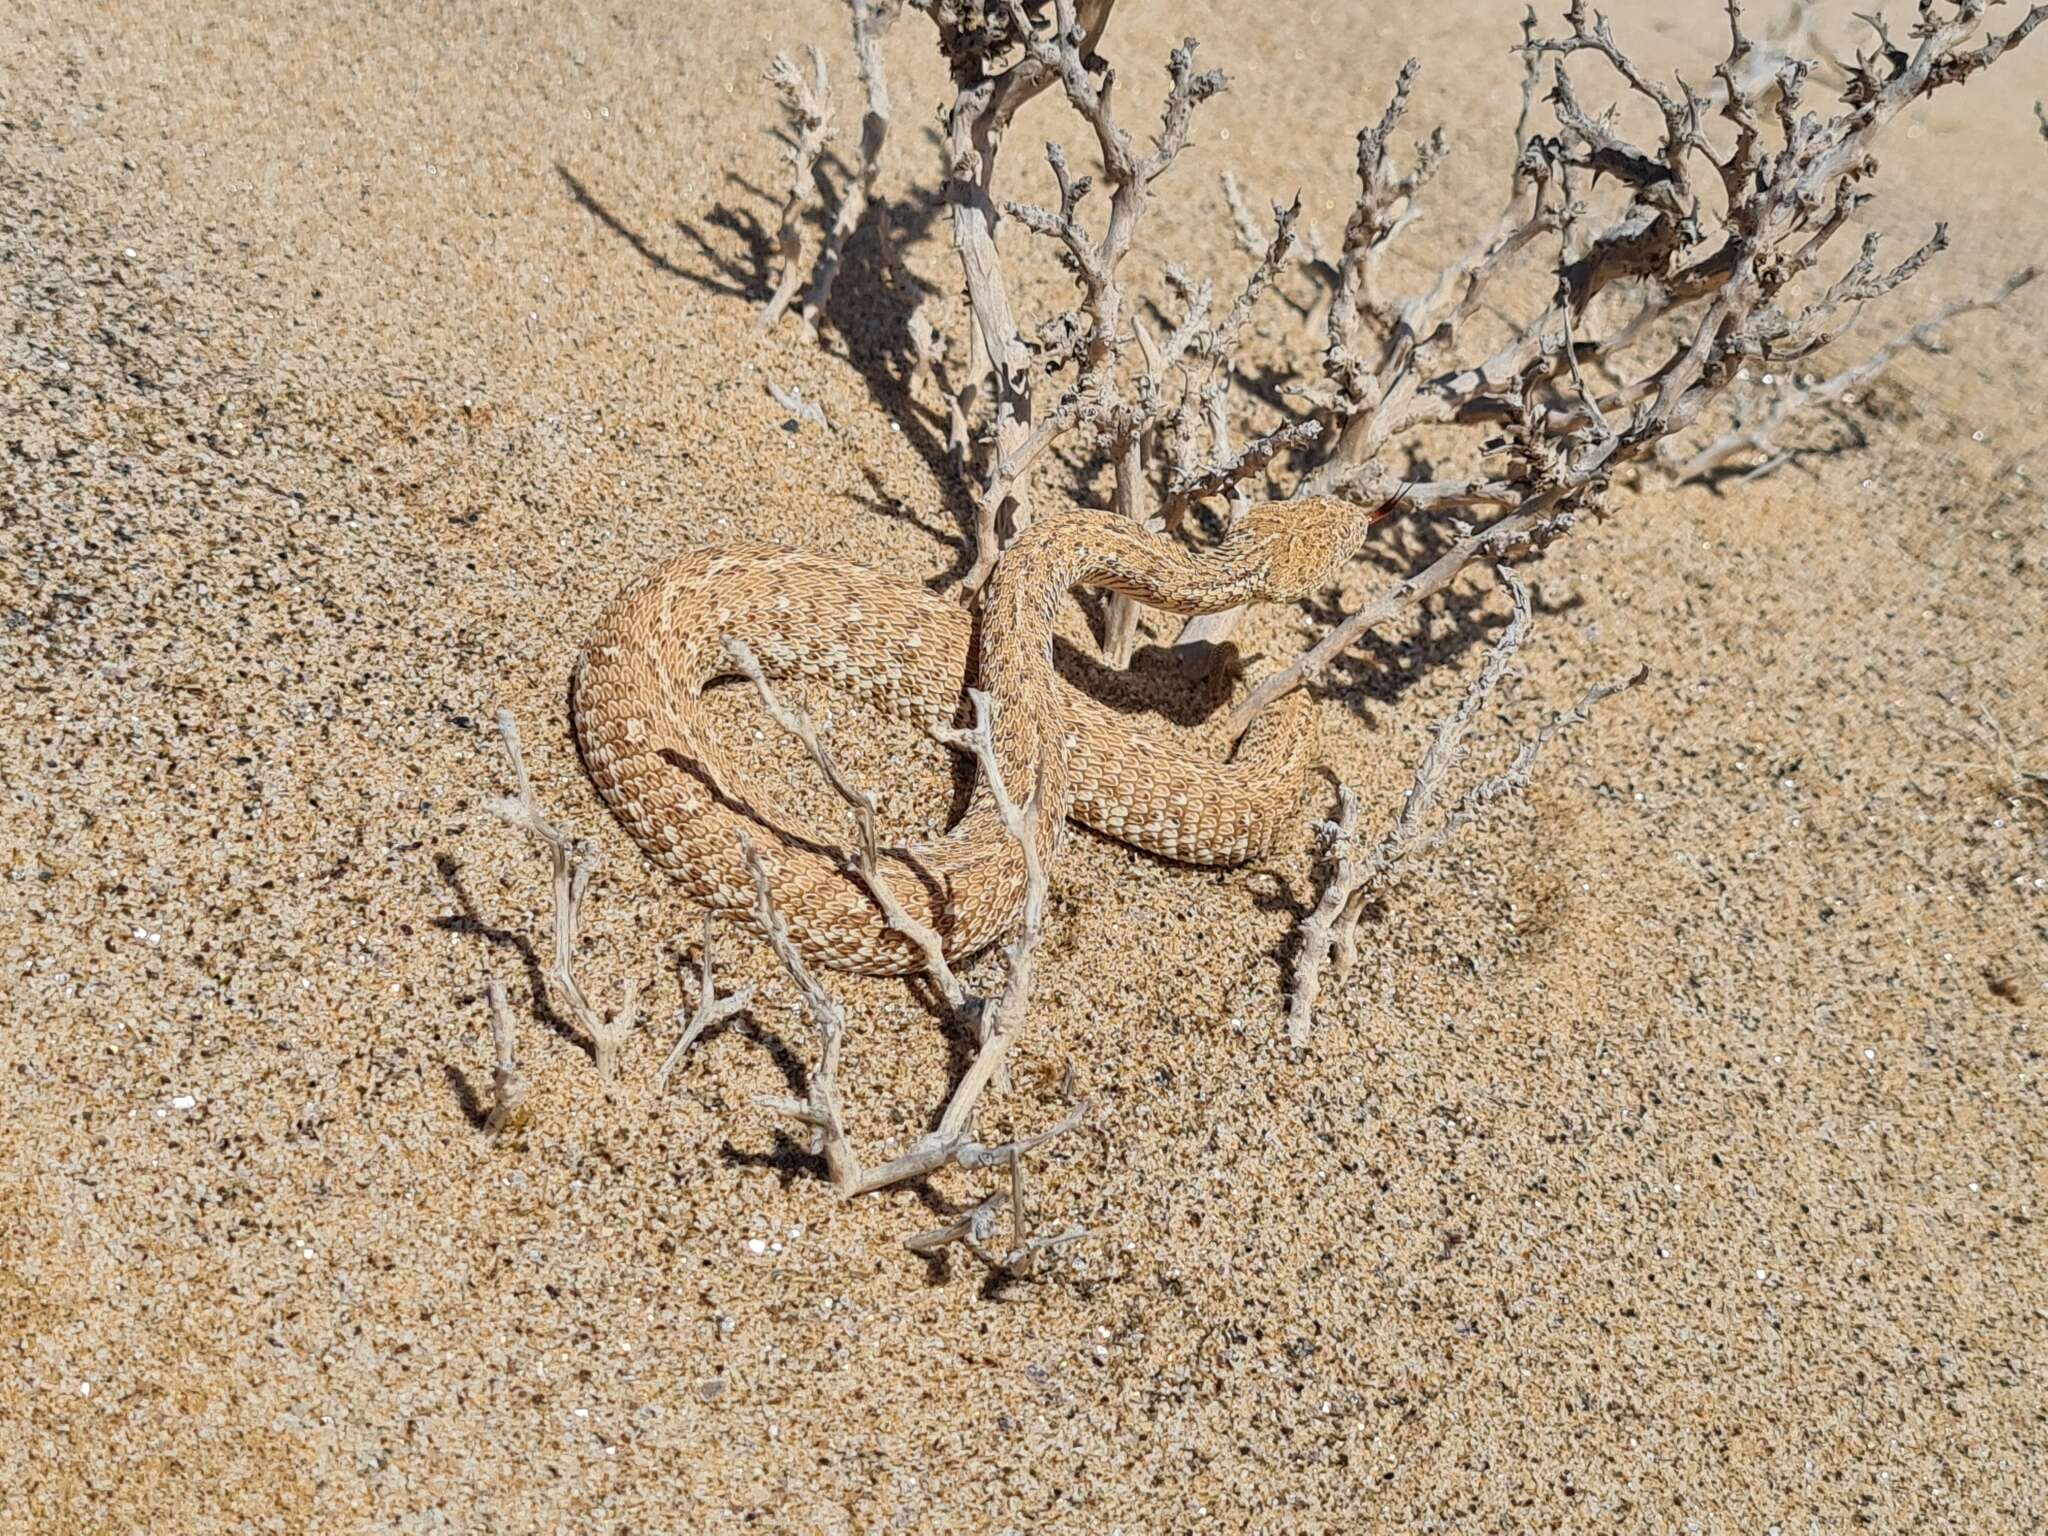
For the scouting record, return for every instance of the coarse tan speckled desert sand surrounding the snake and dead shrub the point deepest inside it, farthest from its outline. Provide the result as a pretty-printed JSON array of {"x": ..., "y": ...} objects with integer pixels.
[{"x": 1672, "y": 1164}]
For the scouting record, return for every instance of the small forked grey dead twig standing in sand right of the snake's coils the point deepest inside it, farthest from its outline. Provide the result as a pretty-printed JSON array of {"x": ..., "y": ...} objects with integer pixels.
[{"x": 1357, "y": 878}]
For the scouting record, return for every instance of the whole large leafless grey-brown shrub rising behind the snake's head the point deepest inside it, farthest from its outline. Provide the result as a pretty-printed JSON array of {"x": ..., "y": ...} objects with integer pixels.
[{"x": 1713, "y": 228}]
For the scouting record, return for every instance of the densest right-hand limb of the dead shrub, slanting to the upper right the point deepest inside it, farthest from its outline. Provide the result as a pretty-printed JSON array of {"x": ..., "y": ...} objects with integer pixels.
[{"x": 1723, "y": 286}]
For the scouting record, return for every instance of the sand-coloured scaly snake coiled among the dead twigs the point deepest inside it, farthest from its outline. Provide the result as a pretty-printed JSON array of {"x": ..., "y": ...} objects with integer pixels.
[{"x": 650, "y": 744}]
